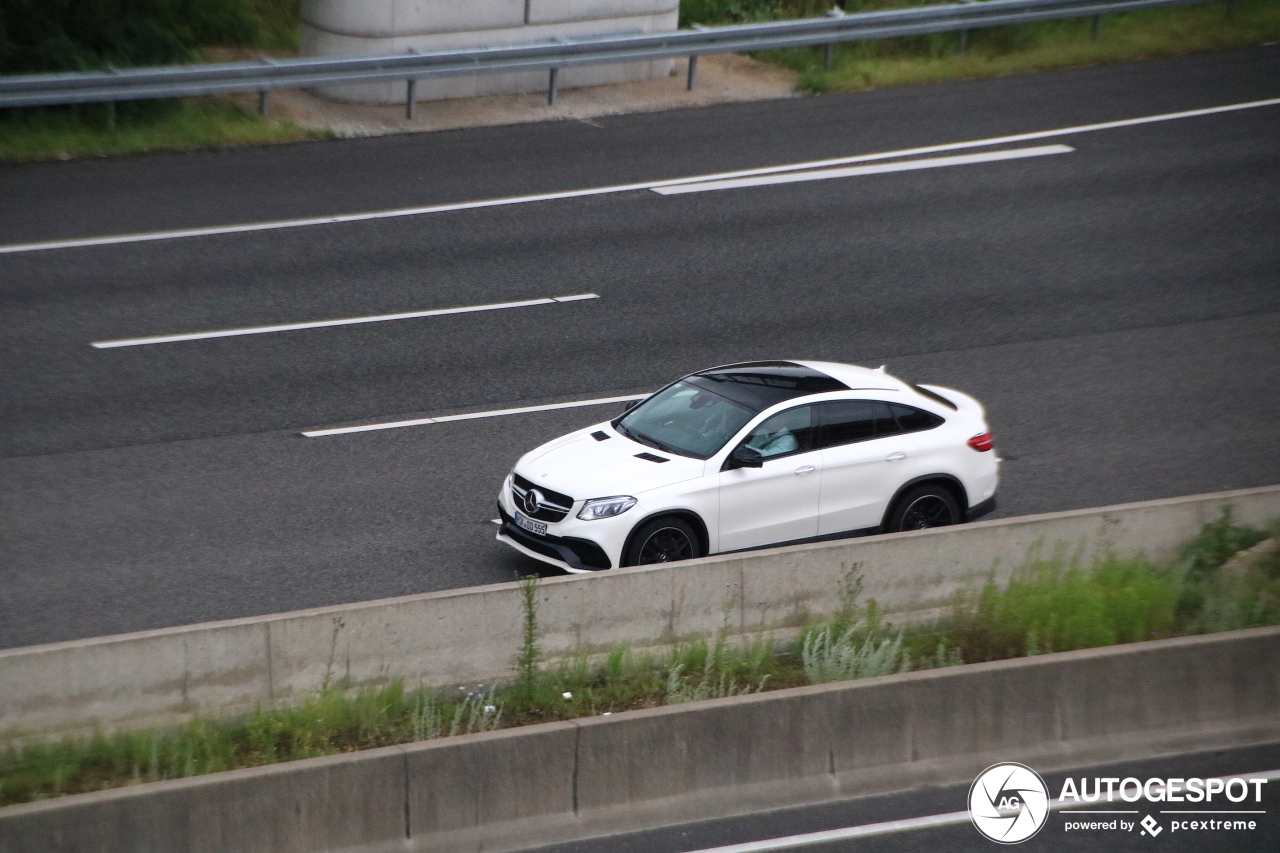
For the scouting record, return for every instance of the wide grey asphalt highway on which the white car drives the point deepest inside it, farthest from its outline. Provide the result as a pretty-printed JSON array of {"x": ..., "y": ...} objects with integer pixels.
[{"x": 1116, "y": 305}]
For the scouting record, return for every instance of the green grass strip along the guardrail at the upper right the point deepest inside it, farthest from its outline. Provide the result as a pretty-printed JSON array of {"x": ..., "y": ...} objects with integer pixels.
[{"x": 1032, "y": 48}]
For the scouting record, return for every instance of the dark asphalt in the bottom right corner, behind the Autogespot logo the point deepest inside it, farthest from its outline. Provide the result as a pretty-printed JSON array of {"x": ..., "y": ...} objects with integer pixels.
[{"x": 964, "y": 838}]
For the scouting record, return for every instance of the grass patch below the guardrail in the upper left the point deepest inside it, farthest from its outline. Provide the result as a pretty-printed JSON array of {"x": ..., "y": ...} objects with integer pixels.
[{"x": 49, "y": 134}]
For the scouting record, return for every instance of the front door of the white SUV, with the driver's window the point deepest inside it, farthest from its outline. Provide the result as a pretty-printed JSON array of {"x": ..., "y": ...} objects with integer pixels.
[{"x": 779, "y": 501}]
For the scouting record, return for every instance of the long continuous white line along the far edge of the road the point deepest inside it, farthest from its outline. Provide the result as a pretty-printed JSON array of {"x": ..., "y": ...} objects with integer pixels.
[{"x": 629, "y": 188}]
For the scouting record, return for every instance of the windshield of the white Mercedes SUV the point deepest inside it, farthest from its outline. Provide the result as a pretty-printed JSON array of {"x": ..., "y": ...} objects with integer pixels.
[{"x": 687, "y": 421}]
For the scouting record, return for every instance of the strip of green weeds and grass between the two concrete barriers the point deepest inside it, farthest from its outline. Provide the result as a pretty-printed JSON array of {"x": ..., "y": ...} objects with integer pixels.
[{"x": 1052, "y": 605}]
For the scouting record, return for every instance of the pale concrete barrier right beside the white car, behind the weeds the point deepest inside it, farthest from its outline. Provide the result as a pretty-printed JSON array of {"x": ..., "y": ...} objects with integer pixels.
[{"x": 472, "y": 636}]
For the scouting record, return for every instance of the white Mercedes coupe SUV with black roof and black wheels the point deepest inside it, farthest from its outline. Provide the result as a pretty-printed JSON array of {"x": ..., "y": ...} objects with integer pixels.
[{"x": 752, "y": 455}]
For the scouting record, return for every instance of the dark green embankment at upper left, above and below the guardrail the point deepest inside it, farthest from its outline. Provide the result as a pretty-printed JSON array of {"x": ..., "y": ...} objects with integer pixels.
[{"x": 39, "y": 37}]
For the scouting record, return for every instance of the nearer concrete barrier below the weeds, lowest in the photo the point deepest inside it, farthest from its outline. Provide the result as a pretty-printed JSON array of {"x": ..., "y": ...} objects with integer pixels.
[{"x": 511, "y": 790}]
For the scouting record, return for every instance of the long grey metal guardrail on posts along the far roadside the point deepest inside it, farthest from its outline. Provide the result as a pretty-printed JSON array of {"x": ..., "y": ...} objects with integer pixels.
[{"x": 214, "y": 79}]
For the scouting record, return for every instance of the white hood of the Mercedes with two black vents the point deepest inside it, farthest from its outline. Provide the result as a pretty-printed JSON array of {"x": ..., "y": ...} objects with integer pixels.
[{"x": 584, "y": 468}]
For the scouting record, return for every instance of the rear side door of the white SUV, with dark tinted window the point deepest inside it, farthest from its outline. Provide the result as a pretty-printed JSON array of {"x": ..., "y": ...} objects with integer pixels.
[{"x": 866, "y": 458}]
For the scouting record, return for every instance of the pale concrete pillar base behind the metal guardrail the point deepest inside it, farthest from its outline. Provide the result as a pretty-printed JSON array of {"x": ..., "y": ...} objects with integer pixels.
[{"x": 387, "y": 28}]
